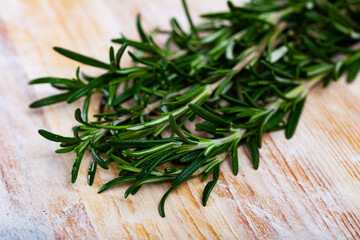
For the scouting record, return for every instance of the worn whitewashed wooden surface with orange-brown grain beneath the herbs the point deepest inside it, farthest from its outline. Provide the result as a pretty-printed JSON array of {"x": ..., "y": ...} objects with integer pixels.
[{"x": 306, "y": 188}]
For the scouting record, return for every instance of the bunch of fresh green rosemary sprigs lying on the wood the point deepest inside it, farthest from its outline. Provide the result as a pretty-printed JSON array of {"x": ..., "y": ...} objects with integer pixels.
[{"x": 243, "y": 72}]
